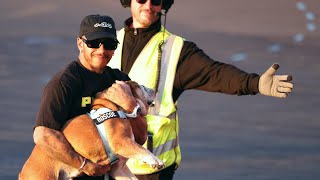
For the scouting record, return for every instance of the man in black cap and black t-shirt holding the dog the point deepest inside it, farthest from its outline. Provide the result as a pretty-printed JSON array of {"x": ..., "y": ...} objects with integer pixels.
[{"x": 69, "y": 93}]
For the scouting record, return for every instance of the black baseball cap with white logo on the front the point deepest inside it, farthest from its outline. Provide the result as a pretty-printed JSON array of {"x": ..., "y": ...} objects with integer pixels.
[{"x": 97, "y": 27}]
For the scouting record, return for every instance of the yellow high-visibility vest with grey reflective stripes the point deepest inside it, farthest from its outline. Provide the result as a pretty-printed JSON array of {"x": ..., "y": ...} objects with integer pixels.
[{"x": 162, "y": 118}]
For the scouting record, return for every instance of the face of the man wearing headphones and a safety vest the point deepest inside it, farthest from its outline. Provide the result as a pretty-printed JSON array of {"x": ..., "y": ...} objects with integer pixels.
[{"x": 144, "y": 14}]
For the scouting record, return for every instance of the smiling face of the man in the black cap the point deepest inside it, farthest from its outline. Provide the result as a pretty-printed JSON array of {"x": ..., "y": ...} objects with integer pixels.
[{"x": 94, "y": 58}]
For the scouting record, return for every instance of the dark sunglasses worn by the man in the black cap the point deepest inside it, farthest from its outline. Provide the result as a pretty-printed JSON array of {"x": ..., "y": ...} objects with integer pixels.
[{"x": 108, "y": 44}]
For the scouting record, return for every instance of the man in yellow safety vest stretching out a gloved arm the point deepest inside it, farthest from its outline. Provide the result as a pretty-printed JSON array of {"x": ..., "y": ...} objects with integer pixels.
[{"x": 154, "y": 57}]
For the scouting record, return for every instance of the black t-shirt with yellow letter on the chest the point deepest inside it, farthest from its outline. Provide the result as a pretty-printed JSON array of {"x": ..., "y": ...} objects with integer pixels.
[{"x": 70, "y": 92}]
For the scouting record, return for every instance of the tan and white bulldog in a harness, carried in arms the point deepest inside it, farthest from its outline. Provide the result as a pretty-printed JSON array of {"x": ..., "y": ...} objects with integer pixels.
[{"x": 97, "y": 136}]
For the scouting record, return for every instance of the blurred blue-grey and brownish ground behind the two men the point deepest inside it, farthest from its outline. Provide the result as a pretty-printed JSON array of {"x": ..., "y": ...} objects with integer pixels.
[{"x": 222, "y": 137}]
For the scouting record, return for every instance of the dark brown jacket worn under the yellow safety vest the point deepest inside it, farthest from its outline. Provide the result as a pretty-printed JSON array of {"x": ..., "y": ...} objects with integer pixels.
[{"x": 195, "y": 69}]
